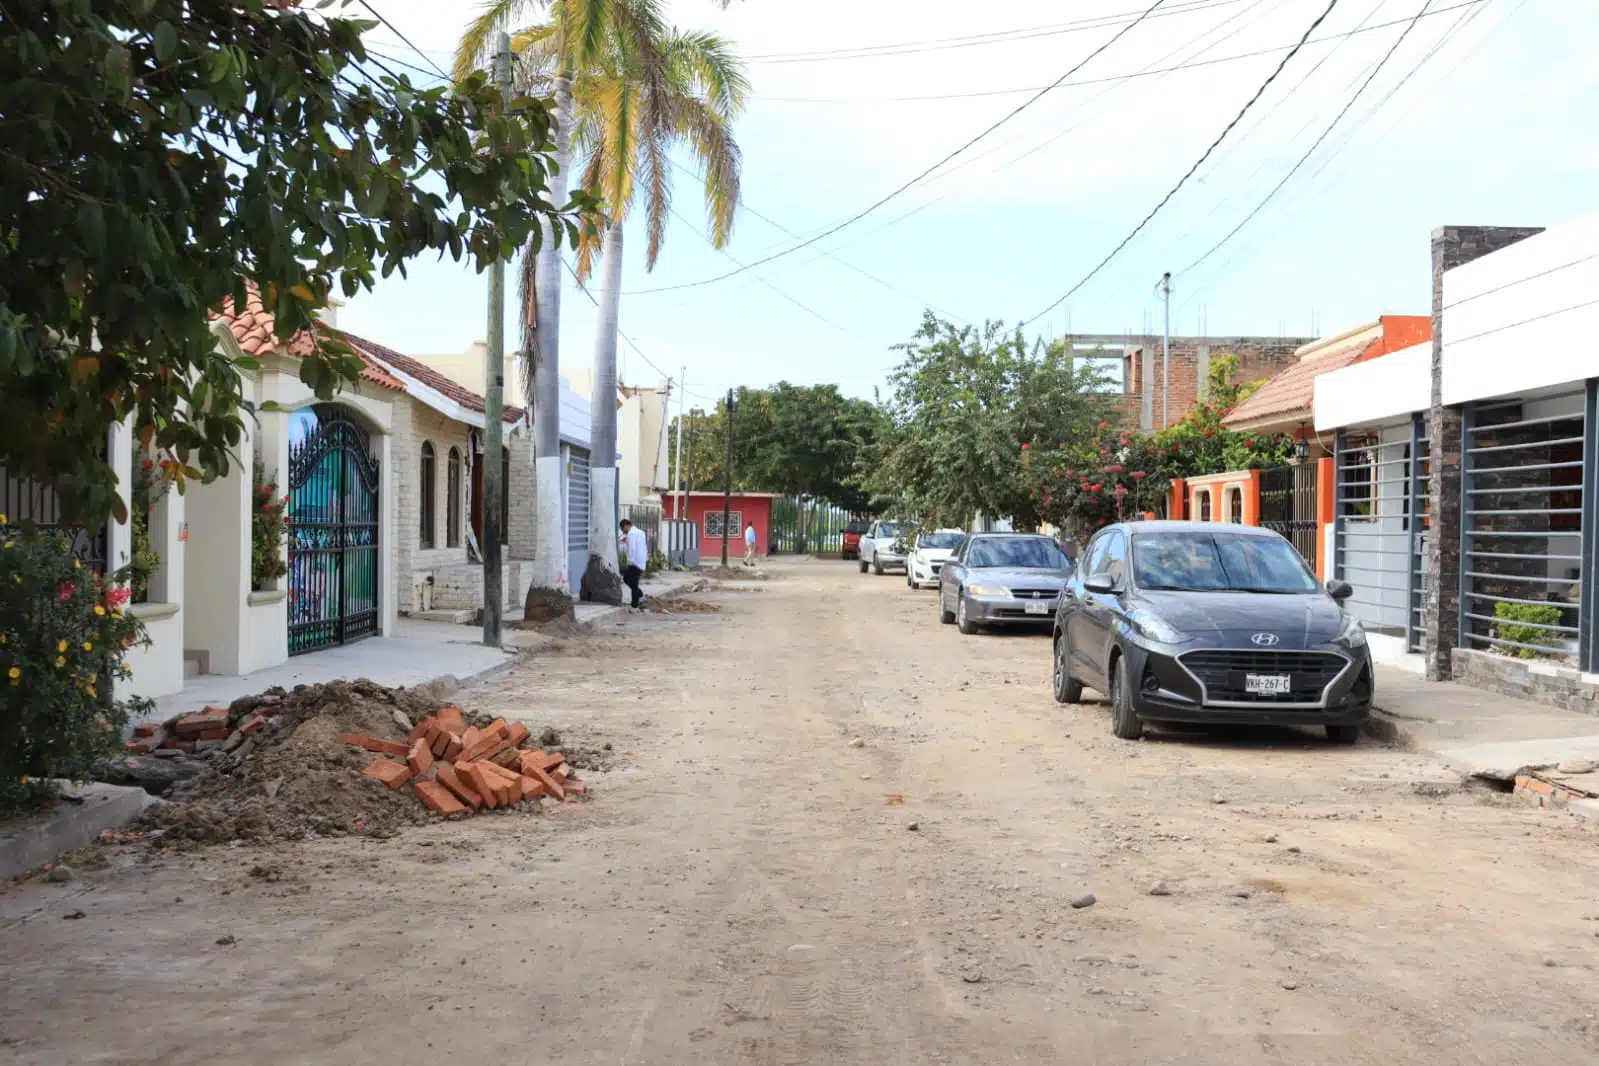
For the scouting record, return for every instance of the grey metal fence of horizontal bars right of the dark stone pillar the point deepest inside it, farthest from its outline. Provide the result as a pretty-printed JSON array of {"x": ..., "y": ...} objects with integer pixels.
[{"x": 1525, "y": 527}]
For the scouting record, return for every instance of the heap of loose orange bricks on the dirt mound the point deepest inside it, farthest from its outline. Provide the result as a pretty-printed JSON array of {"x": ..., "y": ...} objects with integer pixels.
[{"x": 460, "y": 770}]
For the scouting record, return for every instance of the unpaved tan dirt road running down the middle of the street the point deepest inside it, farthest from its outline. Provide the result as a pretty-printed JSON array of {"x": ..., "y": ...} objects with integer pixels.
[{"x": 746, "y": 886}]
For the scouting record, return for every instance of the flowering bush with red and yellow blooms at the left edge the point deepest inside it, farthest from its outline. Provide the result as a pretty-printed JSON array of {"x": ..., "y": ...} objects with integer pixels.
[{"x": 63, "y": 640}]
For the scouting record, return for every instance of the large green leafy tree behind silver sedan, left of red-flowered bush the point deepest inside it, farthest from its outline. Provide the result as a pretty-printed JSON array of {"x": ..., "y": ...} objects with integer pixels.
[{"x": 967, "y": 404}]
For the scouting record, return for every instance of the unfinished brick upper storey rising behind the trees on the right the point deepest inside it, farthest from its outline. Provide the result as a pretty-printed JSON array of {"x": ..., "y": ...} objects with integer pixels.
[{"x": 1259, "y": 359}]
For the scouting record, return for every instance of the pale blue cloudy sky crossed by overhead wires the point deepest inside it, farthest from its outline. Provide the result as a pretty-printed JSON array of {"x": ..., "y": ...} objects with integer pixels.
[{"x": 1481, "y": 116}]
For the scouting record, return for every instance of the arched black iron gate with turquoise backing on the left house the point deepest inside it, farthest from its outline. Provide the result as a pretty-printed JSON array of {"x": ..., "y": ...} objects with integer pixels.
[{"x": 333, "y": 533}]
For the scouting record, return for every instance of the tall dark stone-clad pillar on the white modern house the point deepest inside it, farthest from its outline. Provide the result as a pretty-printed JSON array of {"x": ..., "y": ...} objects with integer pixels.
[{"x": 1453, "y": 247}]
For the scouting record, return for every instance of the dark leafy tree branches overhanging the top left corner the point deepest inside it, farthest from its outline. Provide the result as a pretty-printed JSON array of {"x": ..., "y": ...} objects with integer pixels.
[{"x": 156, "y": 164}]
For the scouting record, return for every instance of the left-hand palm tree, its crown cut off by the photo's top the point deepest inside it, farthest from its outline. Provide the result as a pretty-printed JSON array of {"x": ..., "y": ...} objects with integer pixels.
[{"x": 581, "y": 34}]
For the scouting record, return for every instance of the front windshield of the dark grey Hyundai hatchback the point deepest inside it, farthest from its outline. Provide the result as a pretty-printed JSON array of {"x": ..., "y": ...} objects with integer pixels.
[{"x": 1203, "y": 562}]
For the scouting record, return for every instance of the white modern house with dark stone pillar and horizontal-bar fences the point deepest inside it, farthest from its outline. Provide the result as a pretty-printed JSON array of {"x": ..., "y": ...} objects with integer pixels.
[{"x": 1489, "y": 531}]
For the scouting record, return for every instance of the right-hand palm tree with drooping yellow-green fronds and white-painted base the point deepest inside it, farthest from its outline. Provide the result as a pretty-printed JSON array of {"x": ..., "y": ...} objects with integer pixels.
[{"x": 632, "y": 106}]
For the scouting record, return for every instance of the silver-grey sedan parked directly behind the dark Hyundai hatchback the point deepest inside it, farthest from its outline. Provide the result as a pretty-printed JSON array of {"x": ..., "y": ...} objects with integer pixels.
[{"x": 1003, "y": 579}]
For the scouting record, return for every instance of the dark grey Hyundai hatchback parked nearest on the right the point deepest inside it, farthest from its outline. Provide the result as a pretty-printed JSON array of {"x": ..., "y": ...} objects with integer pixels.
[{"x": 1216, "y": 624}]
